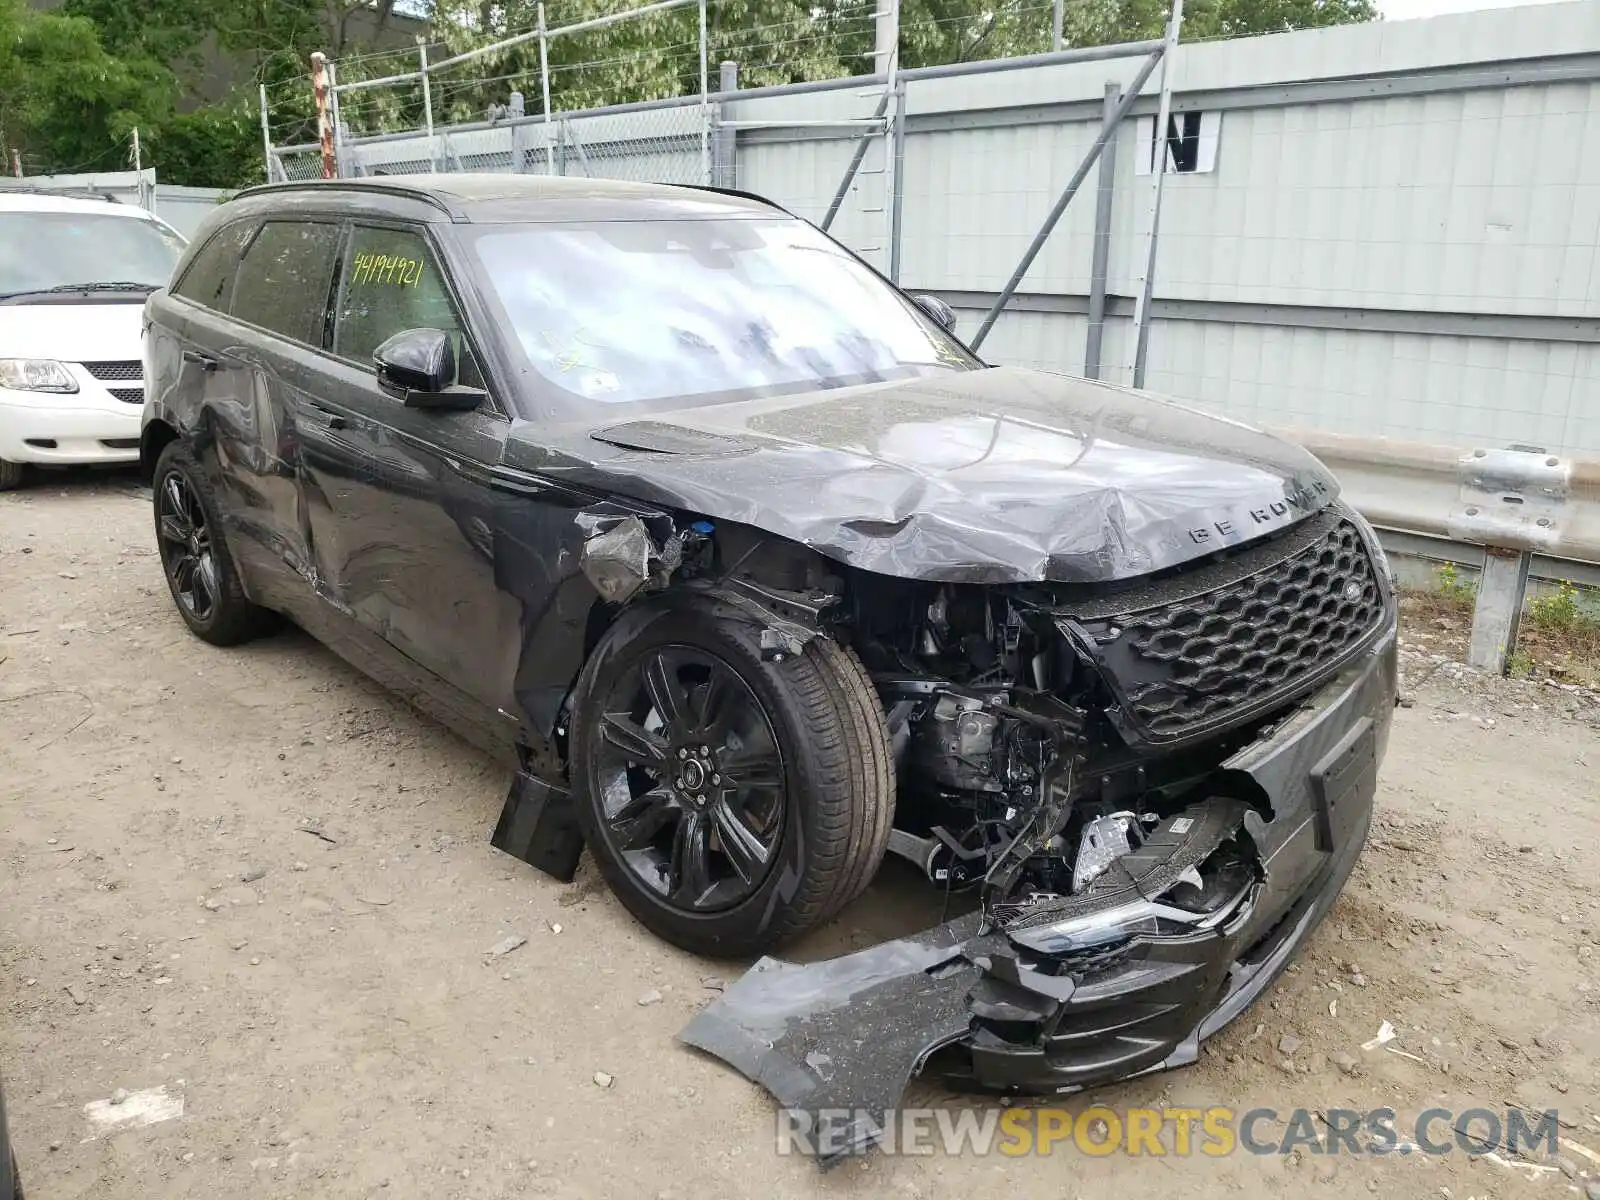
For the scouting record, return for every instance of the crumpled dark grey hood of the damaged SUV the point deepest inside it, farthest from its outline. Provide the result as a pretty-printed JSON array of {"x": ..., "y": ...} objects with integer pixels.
[{"x": 996, "y": 476}]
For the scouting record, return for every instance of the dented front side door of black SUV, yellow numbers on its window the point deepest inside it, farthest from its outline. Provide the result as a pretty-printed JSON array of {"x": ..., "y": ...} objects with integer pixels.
[{"x": 399, "y": 498}]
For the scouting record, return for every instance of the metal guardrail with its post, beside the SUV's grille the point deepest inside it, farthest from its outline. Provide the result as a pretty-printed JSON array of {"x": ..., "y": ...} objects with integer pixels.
[{"x": 1516, "y": 503}]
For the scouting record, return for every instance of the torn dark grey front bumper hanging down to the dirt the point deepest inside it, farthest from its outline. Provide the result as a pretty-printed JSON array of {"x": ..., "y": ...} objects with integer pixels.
[{"x": 1010, "y": 1004}]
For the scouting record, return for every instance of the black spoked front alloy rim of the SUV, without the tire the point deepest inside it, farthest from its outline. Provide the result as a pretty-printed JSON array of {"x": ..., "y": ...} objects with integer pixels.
[{"x": 690, "y": 780}]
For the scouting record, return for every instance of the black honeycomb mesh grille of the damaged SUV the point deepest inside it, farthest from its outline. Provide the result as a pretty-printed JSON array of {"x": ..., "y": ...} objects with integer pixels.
[{"x": 1193, "y": 665}]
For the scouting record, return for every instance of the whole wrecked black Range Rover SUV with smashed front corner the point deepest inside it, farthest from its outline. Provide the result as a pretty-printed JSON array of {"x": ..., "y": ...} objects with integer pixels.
[{"x": 754, "y": 574}]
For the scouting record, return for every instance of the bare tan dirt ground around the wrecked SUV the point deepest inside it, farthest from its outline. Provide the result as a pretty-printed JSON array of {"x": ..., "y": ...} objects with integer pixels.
[{"x": 337, "y": 1026}]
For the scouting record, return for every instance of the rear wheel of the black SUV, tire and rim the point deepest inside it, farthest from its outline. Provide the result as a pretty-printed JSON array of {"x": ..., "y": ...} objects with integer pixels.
[{"x": 194, "y": 554}]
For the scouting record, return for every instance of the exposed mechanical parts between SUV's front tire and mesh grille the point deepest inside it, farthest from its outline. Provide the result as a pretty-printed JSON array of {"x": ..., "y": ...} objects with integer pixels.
[{"x": 1012, "y": 777}]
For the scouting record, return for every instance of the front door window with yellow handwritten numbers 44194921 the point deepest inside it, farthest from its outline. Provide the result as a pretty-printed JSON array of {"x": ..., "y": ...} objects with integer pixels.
[{"x": 391, "y": 284}]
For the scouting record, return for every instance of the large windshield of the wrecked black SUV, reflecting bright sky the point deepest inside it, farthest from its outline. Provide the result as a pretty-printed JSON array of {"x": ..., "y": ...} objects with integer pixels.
[{"x": 617, "y": 313}]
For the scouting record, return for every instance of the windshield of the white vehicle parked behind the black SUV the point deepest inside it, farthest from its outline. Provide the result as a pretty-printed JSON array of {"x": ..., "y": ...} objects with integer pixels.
[{"x": 57, "y": 250}]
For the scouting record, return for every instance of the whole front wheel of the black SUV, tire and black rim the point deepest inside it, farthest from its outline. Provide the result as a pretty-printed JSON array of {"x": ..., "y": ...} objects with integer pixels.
[{"x": 730, "y": 802}]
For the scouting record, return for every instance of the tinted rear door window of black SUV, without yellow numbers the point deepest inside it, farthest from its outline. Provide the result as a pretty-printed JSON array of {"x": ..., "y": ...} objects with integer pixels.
[{"x": 286, "y": 279}]
